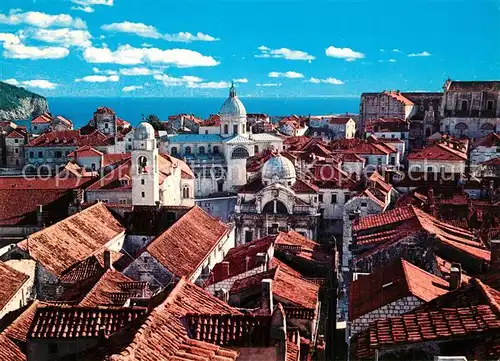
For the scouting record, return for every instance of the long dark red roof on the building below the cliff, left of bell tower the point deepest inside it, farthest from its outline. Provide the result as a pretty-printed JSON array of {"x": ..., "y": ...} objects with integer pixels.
[{"x": 67, "y": 138}]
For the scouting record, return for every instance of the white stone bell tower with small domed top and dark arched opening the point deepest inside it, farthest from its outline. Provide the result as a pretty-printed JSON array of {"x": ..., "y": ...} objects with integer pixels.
[{"x": 145, "y": 178}]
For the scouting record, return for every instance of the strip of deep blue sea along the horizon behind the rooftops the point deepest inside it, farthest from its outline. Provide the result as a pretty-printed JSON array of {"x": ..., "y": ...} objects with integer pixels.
[{"x": 80, "y": 110}]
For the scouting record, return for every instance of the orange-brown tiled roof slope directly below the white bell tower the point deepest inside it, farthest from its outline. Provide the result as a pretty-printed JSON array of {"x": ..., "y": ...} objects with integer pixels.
[{"x": 186, "y": 245}]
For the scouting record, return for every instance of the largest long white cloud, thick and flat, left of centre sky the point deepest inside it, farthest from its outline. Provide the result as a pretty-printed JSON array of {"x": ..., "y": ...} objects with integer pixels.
[{"x": 128, "y": 55}]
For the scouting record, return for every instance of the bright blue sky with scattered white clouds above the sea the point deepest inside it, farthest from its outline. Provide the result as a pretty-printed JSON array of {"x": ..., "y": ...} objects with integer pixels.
[{"x": 271, "y": 48}]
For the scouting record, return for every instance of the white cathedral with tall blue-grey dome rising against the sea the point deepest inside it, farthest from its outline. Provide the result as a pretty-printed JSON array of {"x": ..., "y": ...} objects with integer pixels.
[{"x": 218, "y": 152}]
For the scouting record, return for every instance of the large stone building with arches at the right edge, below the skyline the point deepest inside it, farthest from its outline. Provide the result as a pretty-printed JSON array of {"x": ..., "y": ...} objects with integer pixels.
[{"x": 470, "y": 108}]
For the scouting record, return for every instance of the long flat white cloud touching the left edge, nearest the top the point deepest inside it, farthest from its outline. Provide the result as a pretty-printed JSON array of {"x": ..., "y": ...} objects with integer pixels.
[{"x": 42, "y": 20}]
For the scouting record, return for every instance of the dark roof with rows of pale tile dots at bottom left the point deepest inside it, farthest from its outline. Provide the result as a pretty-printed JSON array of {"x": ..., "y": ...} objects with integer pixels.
[{"x": 80, "y": 322}]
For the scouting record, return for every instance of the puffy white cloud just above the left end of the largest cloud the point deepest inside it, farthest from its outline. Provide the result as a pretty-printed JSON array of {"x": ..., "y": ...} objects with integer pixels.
[{"x": 65, "y": 37}]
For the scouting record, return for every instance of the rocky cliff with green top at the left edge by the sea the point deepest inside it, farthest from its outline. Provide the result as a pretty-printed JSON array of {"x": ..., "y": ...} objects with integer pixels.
[{"x": 20, "y": 104}]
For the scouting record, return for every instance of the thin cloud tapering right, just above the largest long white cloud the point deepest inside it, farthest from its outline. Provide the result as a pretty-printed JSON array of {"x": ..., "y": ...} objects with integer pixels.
[{"x": 149, "y": 31}]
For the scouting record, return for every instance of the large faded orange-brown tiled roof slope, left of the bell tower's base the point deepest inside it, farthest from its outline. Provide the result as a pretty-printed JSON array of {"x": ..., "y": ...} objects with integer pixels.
[{"x": 73, "y": 239}]
